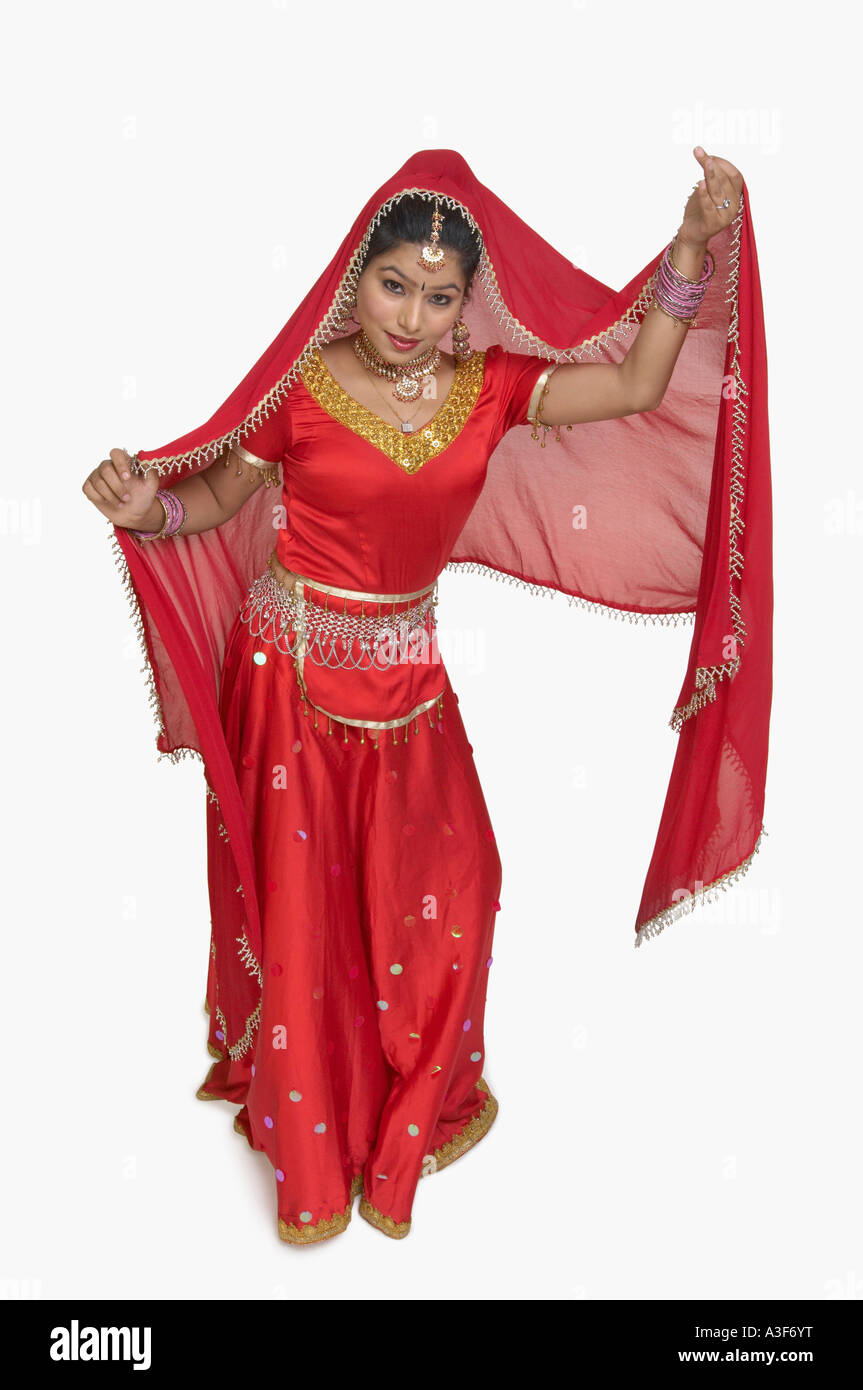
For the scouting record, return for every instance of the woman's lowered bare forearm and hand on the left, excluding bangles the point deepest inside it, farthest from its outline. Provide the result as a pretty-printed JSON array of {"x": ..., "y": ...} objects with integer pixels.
[{"x": 211, "y": 498}]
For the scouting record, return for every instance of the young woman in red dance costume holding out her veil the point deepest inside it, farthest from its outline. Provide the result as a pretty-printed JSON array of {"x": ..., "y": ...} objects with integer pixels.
[{"x": 291, "y": 639}]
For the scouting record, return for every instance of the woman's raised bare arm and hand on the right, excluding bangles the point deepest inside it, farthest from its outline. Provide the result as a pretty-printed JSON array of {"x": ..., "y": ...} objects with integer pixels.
[{"x": 579, "y": 393}]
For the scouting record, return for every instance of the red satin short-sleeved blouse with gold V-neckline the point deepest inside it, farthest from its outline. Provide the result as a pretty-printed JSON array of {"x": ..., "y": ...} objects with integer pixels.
[{"x": 369, "y": 508}]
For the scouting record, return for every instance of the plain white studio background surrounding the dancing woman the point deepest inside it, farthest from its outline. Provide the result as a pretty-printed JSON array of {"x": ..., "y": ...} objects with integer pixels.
[{"x": 680, "y": 1121}]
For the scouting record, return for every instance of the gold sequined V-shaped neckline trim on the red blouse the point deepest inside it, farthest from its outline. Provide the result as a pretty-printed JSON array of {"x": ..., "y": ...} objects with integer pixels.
[{"x": 409, "y": 451}]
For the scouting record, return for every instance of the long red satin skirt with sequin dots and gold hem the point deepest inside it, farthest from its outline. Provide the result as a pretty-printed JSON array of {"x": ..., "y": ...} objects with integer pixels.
[{"x": 359, "y": 1068}]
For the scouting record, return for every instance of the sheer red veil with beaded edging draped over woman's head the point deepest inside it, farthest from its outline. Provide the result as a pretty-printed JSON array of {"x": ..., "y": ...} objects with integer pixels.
[{"x": 679, "y": 504}]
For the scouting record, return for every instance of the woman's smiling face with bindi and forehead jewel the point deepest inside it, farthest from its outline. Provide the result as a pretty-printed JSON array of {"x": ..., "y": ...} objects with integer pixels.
[{"x": 416, "y": 306}]
